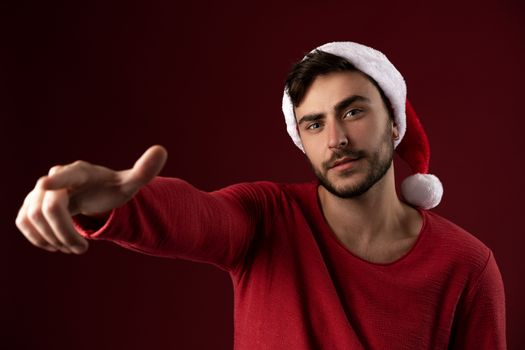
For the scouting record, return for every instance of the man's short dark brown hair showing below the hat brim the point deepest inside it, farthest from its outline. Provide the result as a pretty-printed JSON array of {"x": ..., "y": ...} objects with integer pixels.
[{"x": 318, "y": 63}]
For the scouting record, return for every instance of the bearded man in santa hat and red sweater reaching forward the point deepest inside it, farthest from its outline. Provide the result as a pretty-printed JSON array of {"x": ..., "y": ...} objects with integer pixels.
[{"x": 341, "y": 263}]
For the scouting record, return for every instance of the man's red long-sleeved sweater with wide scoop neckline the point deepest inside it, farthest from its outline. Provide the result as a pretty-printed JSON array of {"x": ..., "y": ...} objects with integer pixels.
[{"x": 297, "y": 287}]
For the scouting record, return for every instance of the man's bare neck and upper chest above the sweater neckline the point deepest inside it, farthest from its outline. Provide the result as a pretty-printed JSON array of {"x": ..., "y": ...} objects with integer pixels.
[{"x": 375, "y": 217}]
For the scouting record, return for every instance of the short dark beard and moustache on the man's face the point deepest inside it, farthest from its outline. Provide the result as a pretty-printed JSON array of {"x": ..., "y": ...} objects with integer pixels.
[{"x": 378, "y": 164}]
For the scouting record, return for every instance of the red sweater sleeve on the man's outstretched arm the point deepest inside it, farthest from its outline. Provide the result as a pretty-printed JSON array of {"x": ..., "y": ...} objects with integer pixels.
[{"x": 171, "y": 218}]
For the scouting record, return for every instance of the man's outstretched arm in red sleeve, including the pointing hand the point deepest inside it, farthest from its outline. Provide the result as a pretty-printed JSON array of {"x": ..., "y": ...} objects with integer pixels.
[{"x": 141, "y": 211}]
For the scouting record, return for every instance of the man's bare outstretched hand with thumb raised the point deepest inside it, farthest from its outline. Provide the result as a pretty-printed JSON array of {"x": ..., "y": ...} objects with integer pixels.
[{"x": 81, "y": 188}]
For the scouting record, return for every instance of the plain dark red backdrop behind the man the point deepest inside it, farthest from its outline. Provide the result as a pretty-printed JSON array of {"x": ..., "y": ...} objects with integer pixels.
[{"x": 102, "y": 80}]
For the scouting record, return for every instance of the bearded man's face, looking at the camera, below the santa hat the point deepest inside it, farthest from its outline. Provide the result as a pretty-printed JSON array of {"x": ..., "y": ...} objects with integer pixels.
[{"x": 346, "y": 132}]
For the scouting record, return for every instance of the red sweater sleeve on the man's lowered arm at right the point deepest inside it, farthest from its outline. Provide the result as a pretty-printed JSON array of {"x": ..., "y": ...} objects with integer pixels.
[{"x": 480, "y": 322}]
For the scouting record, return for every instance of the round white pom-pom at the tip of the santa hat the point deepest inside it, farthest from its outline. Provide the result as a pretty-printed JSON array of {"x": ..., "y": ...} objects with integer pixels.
[{"x": 422, "y": 190}]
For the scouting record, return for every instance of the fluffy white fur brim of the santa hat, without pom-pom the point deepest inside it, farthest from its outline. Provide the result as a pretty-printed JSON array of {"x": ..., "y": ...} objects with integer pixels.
[{"x": 369, "y": 61}]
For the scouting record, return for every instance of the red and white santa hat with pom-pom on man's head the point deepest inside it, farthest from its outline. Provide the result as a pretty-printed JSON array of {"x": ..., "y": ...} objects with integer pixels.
[{"x": 421, "y": 188}]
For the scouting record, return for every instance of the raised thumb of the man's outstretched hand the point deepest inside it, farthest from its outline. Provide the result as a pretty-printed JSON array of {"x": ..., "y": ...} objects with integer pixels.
[{"x": 146, "y": 167}]
